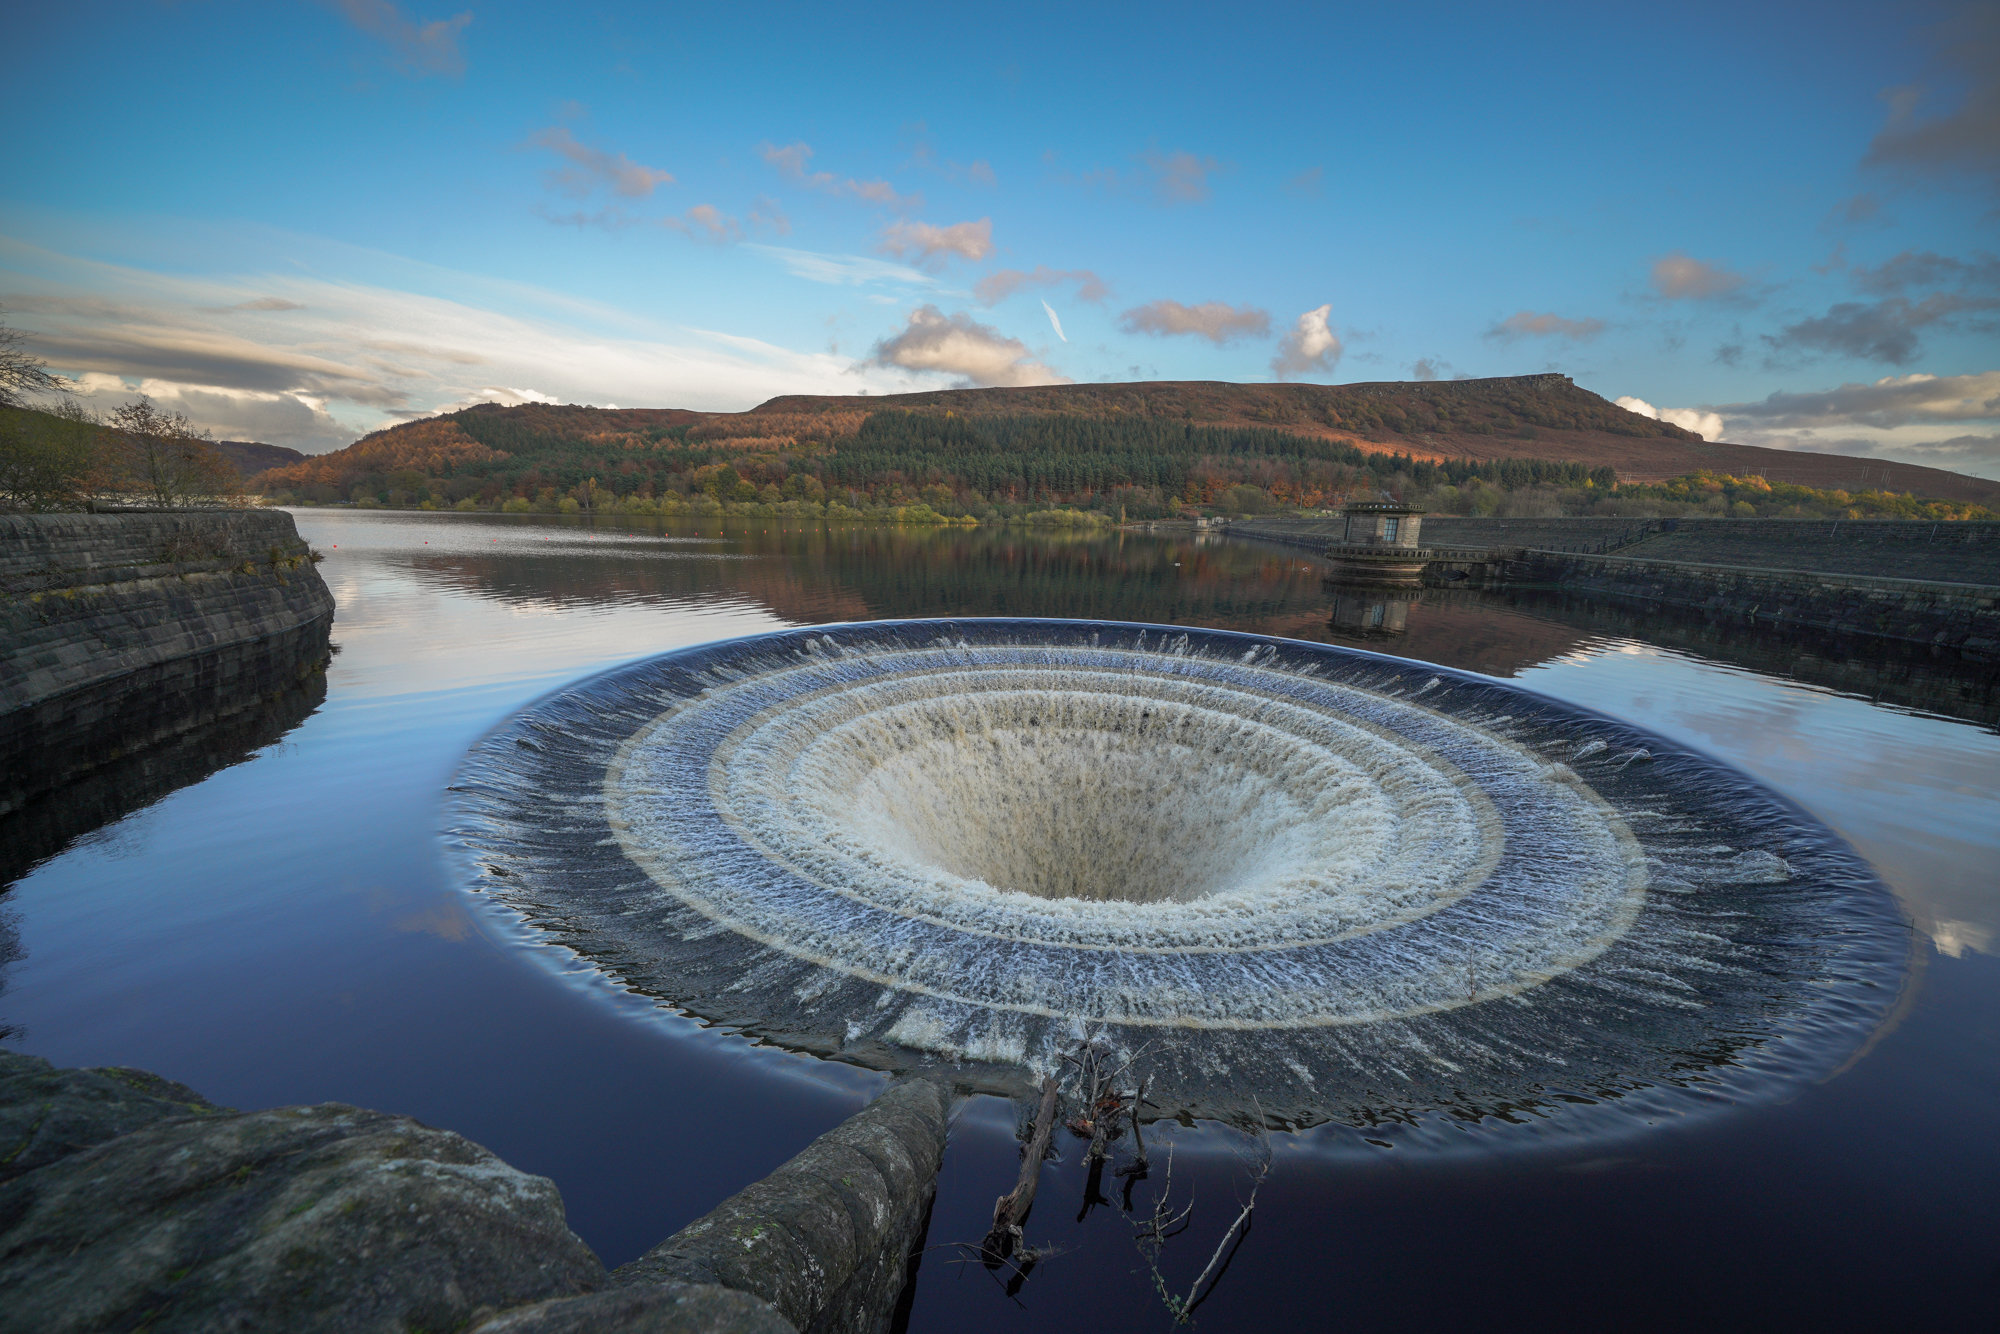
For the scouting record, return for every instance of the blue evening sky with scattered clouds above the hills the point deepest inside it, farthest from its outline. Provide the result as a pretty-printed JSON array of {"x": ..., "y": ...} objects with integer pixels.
[{"x": 299, "y": 221}]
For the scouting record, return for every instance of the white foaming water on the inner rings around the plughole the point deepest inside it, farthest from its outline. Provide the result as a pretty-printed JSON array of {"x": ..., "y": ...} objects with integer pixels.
[{"x": 1087, "y": 815}]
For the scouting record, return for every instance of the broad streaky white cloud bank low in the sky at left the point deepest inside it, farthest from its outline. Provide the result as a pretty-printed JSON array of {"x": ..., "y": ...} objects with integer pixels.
[{"x": 319, "y": 371}]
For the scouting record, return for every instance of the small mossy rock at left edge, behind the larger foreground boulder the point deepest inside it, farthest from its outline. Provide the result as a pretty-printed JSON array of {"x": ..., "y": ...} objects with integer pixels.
[{"x": 49, "y": 1113}]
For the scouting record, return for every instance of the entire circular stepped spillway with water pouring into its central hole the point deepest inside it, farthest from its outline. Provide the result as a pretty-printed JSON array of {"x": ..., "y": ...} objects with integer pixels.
[{"x": 1305, "y": 883}]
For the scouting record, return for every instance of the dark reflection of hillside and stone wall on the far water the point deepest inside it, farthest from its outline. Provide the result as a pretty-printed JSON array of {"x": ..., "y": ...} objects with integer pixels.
[{"x": 861, "y": 573}]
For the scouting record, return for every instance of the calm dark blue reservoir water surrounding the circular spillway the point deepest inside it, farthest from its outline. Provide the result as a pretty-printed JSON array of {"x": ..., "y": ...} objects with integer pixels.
[{"x": 287, "y": 931}]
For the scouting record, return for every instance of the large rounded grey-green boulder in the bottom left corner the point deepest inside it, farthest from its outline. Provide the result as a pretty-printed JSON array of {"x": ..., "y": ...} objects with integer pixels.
[{"x": 297, "y": 1219}]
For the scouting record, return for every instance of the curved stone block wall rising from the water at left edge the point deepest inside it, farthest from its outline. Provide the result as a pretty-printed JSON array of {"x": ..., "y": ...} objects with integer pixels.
[{"x": 121, "y": 631}]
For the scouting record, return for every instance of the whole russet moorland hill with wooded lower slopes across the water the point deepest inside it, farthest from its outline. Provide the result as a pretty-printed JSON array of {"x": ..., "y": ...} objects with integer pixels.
[{"x": 1143, "y": 451}]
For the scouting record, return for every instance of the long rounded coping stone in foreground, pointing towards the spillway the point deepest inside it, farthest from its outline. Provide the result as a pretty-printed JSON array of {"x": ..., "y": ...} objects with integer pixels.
[{"x": 825, "y": 1237}]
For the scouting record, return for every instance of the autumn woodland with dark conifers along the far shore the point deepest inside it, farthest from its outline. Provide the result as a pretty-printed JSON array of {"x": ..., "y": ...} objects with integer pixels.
[{"x": 985, "y": 467}]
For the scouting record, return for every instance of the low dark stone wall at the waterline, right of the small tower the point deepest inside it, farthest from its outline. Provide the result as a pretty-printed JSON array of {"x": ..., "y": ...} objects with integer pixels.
[{"x": 1959, "y": 617}]
